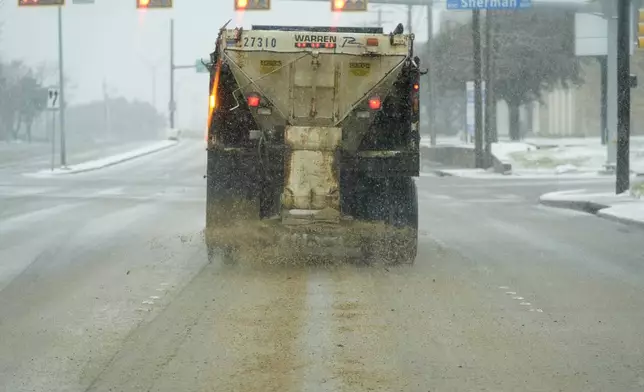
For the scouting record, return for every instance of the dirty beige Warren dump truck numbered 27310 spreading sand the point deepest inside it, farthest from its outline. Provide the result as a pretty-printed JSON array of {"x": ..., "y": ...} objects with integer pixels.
[{"x": 313, "y": 143}]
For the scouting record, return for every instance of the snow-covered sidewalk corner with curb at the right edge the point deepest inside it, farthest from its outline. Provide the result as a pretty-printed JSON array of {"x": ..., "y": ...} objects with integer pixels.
[{"x": 627, "y": 207}]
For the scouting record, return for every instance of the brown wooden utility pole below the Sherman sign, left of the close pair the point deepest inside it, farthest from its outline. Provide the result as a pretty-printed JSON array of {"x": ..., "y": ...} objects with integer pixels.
[{"x": 478, "y": 112}]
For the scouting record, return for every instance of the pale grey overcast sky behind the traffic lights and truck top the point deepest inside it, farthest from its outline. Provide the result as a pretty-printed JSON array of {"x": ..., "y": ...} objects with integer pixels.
[{"x": 114, "y": 41}]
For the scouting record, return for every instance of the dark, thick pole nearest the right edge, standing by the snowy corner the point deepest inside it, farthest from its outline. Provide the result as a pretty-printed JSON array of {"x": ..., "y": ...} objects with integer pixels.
[{"x": 624, "y": 96}]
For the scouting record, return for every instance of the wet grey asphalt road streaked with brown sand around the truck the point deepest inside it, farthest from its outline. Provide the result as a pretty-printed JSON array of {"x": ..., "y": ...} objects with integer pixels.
[{"x": 105, "y": 286}]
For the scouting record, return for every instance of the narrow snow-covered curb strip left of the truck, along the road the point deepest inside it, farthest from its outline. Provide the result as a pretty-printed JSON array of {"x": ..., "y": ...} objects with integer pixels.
[{"x": 107, "y": 161}]
